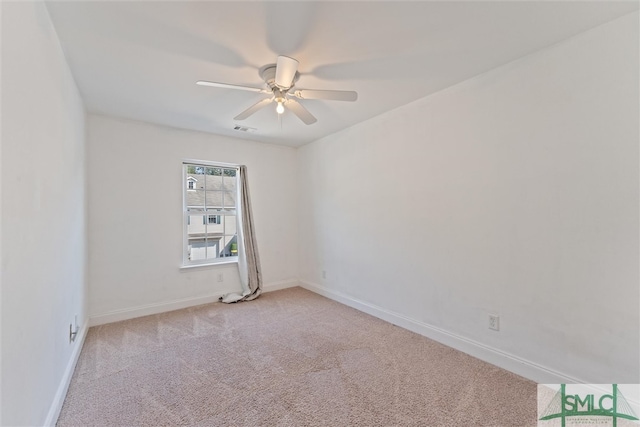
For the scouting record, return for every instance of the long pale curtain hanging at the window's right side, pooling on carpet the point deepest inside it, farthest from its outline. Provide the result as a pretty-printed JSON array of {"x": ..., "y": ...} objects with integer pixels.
[{"x": 248, "y": 259}]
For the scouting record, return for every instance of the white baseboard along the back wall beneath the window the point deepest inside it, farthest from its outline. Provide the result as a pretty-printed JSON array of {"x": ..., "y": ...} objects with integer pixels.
[{"x": 162, "y": 307}]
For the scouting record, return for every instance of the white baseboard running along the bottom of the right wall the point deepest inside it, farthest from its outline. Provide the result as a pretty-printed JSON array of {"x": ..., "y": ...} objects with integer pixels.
[{"x": 510, "y": 362}]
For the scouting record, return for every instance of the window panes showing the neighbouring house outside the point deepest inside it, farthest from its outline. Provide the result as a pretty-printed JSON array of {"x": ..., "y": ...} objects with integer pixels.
[{"x": 209, "y": 206}]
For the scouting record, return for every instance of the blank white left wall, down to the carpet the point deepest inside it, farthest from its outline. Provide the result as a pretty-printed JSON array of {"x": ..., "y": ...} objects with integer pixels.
[{"x": 43, "y": 216}]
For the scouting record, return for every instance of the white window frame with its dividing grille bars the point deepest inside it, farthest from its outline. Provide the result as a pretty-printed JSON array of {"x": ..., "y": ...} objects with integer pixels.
[{"x": 205, "y": 212}]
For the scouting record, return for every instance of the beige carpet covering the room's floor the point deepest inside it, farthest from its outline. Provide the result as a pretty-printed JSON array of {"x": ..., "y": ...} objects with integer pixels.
[{"x": 289, "y": 358}]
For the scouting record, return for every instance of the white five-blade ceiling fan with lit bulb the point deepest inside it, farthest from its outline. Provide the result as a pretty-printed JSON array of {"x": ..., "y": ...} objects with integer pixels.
[{"x": 281, "y": 78}]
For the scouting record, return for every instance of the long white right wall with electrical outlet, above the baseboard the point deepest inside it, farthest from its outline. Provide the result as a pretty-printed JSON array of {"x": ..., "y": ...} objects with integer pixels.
[{"x": 514, "y": 193}]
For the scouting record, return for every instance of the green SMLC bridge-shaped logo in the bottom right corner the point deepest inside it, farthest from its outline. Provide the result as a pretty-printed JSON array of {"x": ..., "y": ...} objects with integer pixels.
[{"x": 565, "y": 405}]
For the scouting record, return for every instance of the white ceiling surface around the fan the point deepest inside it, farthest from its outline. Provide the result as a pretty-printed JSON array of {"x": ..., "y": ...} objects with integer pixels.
[{"x": 140, "y": 60}]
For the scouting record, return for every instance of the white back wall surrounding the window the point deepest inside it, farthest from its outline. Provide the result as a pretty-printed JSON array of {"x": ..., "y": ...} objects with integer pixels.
[{"x": 135, "y": 216}]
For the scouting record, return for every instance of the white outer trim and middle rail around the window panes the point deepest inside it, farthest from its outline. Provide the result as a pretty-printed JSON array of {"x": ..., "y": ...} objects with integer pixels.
[{"x": 186, "y": 262}]
